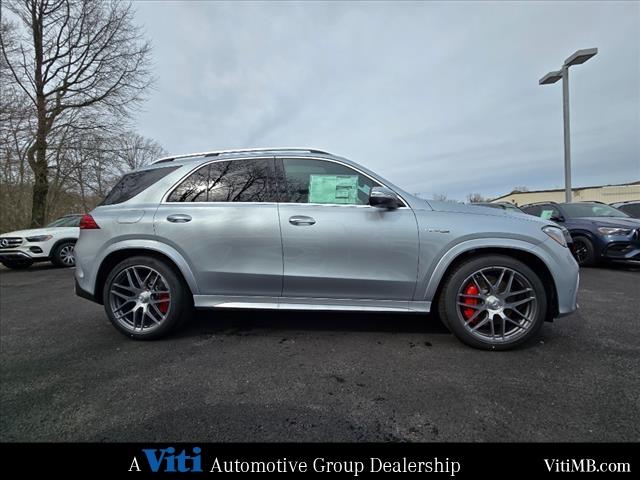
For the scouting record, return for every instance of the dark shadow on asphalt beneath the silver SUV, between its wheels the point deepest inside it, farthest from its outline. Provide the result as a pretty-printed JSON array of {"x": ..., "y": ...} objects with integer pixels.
[{"x": 248, "y": 322}]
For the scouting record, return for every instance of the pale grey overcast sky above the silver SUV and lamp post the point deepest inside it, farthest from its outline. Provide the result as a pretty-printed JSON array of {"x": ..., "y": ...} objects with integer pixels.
[{"x": 440, "y": 98}]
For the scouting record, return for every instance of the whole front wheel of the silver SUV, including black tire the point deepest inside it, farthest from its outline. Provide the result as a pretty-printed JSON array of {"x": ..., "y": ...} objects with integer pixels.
[{"x": 474, "y": 307}]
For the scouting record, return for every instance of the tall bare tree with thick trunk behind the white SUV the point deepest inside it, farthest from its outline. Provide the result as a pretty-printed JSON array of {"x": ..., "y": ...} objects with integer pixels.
[{"x": 73, "y": 55}]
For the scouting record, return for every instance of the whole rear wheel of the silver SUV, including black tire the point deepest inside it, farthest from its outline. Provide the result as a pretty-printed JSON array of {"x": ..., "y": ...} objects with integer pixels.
[{"x": 160, "y": 307}]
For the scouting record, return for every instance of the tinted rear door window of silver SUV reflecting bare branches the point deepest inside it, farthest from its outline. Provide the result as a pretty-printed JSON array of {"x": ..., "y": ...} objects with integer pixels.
[{"x": 228, "y": 181}]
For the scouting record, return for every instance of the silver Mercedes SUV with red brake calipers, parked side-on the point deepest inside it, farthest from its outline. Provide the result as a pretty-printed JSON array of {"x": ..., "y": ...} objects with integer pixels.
[{"x": 304, "y": 229}]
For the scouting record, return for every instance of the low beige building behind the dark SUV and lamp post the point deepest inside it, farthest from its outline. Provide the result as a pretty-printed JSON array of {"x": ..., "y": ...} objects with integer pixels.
[{"x": 600, "y": 193}]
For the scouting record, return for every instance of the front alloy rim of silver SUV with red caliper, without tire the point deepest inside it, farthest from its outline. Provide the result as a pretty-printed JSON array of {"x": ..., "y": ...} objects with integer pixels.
[{"x": 497, "y": 304}]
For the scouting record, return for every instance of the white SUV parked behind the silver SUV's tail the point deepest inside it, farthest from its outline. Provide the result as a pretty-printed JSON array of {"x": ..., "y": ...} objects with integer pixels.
[{"x": 54, "y": 243}]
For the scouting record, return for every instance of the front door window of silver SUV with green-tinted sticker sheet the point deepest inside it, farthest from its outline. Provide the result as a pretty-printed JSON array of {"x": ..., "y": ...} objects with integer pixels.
[{"x": 323, "y": 182}]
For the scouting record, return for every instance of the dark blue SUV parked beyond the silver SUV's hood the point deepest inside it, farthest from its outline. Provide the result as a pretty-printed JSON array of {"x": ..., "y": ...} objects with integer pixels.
[{"x": 599, "y": 232}]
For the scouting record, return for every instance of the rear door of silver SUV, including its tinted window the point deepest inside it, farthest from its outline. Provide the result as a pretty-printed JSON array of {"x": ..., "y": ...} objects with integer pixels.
[{"x": 223, "y": 219}]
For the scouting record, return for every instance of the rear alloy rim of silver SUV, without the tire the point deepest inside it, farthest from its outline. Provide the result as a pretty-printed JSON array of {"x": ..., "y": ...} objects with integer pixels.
[{"x": 139, "y": 298}]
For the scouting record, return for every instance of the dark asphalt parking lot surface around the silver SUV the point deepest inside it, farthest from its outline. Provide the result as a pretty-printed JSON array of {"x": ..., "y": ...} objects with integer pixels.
[{"x": 67, "y": 375}]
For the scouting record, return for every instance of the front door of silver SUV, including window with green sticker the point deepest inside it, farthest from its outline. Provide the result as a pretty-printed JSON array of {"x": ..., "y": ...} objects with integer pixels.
[{"x": 335, "y": 245}]
